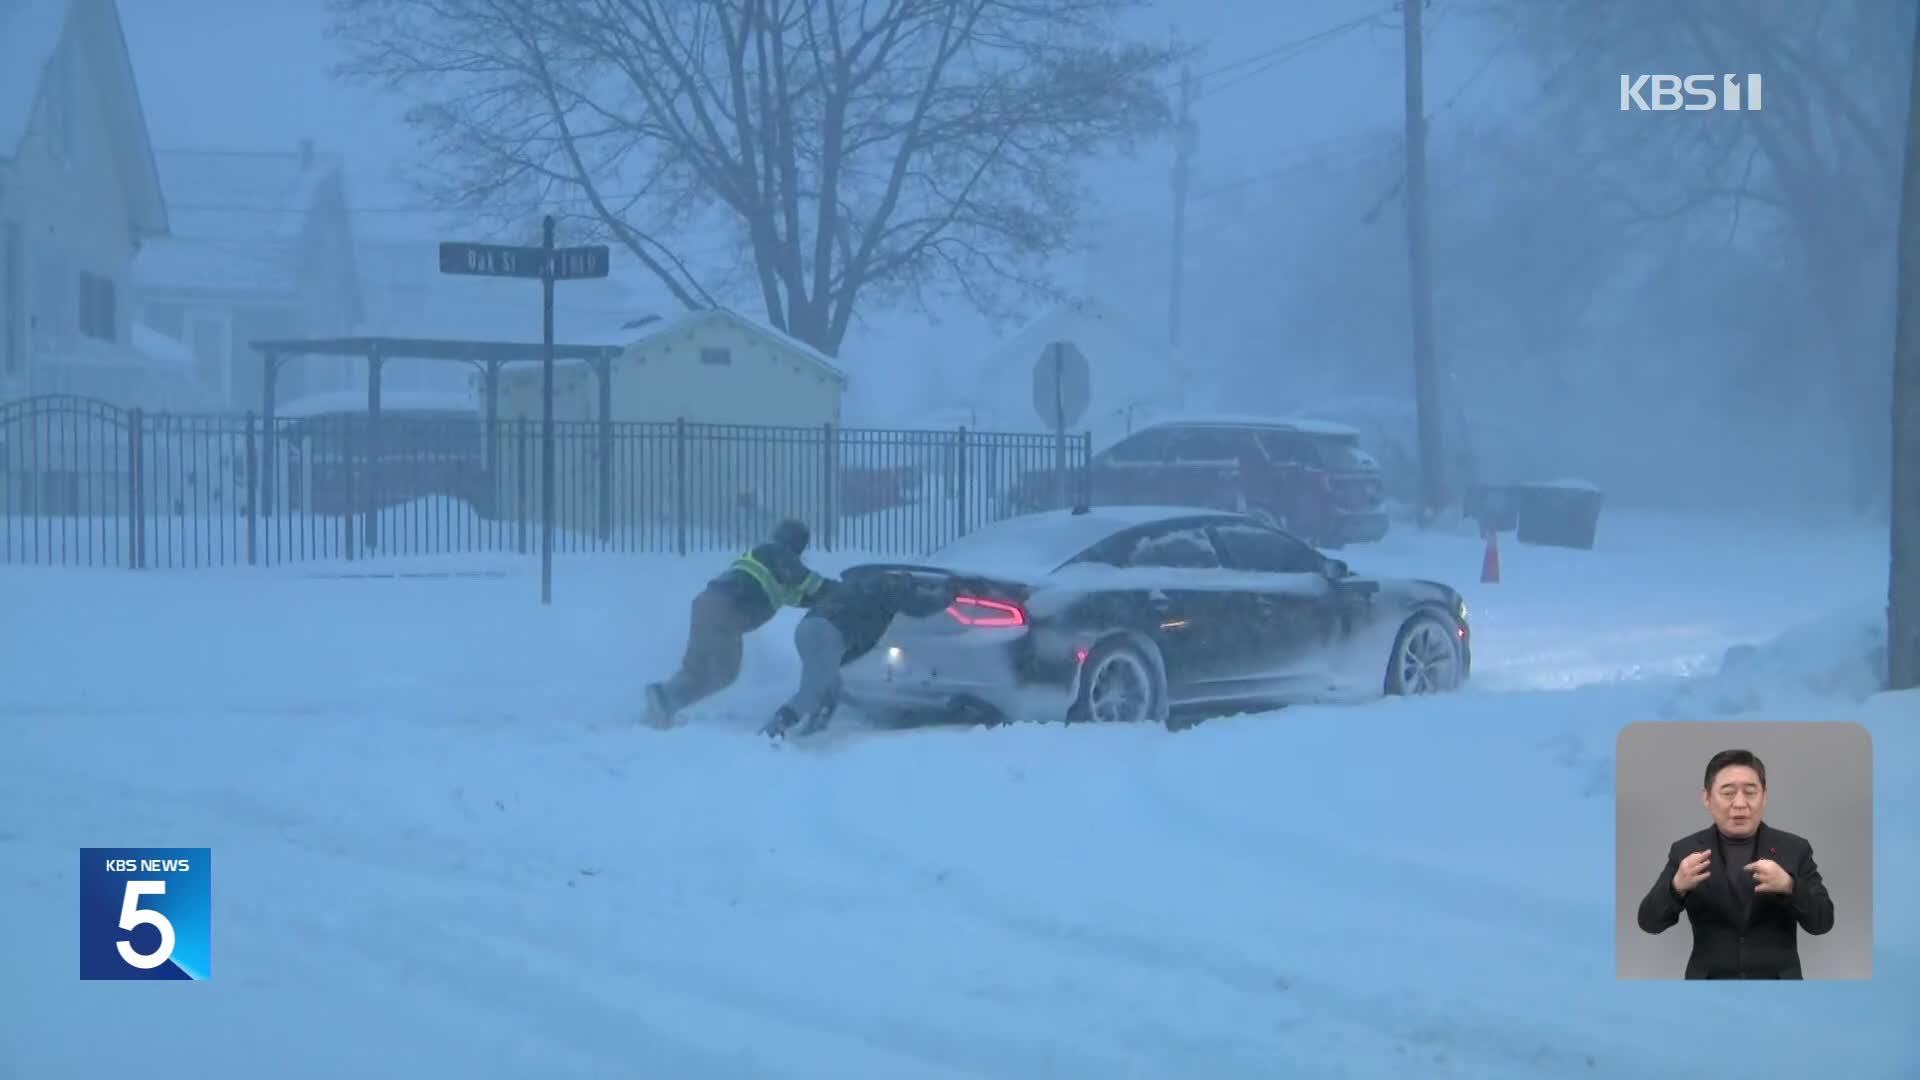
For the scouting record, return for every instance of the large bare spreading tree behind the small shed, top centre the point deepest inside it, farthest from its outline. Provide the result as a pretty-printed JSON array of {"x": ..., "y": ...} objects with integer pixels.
[{"x": 855, "y": 151}]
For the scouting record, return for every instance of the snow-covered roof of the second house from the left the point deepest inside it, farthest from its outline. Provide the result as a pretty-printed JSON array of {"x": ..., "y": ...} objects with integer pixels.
[{"x": 237, "y": 218}]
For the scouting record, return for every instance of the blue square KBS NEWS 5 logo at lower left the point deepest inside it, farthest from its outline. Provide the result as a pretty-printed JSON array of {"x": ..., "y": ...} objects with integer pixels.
[{"x": 147, "y": 914}]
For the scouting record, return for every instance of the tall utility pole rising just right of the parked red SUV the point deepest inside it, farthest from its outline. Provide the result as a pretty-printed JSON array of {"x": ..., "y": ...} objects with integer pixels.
[{"x": 1426, "y": 380}]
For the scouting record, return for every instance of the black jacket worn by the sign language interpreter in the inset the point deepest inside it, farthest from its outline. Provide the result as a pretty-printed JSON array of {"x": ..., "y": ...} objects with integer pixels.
[{"x": 1733, "y": 941}]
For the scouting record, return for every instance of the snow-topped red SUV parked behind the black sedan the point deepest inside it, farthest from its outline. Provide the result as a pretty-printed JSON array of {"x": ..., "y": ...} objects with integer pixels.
[{"x": 1307, "y": 478}]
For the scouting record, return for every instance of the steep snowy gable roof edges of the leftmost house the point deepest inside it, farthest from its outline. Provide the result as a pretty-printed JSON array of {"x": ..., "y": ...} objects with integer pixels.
[{"x": 32, "y": 34}]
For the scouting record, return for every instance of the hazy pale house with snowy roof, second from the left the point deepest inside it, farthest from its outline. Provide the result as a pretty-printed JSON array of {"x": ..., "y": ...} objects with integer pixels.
[{"x": 262, "y": 247}]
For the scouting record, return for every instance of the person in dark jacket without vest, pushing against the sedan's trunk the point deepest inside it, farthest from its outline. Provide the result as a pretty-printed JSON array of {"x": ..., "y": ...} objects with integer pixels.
[{"x": 844, "y": 624}]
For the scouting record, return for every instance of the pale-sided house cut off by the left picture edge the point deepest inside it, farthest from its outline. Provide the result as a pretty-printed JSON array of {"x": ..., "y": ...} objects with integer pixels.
[{"x": 80, "y": 199}]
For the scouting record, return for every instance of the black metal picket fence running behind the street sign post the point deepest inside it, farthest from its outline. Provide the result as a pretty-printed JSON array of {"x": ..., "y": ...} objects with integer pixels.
[{"x": 87, "y": 483}]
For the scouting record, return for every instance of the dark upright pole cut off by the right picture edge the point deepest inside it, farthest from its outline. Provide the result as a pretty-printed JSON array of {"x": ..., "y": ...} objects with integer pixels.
[{"x": 1904, "y": 506}]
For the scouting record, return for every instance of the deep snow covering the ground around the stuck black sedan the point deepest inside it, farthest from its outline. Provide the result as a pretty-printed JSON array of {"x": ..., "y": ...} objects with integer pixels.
[{"x": 443, "y": 850}]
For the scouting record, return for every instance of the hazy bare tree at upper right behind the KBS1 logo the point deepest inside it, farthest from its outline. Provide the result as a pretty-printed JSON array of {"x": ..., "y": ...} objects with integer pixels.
[{"x": 1813, "y": 176}]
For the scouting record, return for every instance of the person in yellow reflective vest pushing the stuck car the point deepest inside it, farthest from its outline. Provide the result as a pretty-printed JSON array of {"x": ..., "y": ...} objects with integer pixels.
[{"x": 738, "y": 602}]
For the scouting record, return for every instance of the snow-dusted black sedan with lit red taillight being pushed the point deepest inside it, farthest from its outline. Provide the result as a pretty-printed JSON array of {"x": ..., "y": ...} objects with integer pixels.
[{"x": 1151, "y": 614}]
